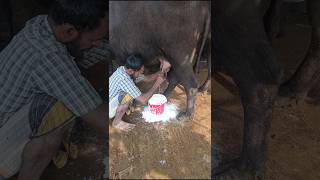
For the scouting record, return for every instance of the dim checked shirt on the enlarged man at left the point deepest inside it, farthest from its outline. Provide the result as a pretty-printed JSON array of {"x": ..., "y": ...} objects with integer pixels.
[{"x": 35, "y": 62}]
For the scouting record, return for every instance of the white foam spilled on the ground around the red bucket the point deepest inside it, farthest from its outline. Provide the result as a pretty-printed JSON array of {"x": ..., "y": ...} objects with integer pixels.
[{"x": 170, "y": 112}]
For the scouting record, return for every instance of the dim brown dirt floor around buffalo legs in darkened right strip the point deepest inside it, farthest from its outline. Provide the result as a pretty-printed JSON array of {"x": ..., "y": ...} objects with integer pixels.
[{"x": 294, "y": 141}]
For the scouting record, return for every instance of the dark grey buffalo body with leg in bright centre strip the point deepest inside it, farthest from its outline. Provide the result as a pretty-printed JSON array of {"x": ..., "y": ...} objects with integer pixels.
[{"x": 170, "y": 29}]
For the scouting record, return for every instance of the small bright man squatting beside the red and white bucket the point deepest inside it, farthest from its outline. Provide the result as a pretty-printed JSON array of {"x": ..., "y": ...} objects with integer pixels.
[{"x": 123, "y": 90}]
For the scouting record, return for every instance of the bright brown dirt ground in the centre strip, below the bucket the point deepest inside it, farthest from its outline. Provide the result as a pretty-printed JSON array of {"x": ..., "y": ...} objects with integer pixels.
[{"x": 156, "y": 151}]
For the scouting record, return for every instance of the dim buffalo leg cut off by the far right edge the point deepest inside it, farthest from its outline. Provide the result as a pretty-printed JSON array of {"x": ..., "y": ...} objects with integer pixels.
[{"x": 308, "y": 72}]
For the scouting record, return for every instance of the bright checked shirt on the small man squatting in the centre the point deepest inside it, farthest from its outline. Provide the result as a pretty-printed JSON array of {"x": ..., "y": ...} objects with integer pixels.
[{"x": 121, "y": 81}]
